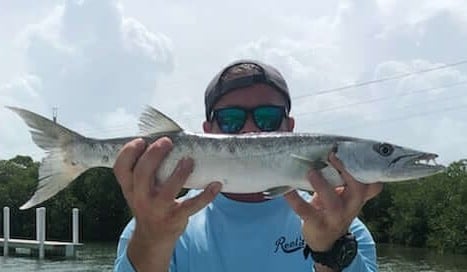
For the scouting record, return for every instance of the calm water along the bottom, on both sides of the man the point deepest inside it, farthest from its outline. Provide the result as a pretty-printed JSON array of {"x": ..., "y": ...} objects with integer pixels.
[{"x": 99, "y": 257}]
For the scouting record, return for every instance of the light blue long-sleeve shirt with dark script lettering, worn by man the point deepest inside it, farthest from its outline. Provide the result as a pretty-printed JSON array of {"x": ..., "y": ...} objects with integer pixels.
[{"x": 228, "y": 235}]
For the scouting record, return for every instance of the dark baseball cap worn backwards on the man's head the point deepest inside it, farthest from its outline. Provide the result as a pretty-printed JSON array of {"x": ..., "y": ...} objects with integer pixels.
[{"x": 265, "y": 74}]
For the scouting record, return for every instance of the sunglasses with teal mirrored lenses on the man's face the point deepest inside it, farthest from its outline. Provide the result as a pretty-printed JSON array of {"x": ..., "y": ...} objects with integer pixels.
[{"x": 232, "y": 119}]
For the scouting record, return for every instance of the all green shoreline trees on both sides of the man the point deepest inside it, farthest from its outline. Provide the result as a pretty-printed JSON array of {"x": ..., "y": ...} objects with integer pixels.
[{"x": 427, "y": 213}]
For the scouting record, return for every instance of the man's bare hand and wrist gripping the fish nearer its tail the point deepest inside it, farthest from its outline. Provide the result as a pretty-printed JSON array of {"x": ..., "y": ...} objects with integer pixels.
[{"x": 160, "y": 217}]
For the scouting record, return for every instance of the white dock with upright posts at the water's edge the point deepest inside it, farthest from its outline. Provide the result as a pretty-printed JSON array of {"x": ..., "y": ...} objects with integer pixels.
[{"x": 39, "y": 247}]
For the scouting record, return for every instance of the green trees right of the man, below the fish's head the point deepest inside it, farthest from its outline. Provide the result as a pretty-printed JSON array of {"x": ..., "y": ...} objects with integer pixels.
[{"x": 430, "y": 212}]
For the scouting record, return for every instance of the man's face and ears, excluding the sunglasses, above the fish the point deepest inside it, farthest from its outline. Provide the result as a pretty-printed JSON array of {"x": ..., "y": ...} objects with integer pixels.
[{"x": 250, "y": 97}]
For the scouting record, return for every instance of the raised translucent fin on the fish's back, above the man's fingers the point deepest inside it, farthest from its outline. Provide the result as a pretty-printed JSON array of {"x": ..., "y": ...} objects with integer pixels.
[{"x": 153, "y": 121}]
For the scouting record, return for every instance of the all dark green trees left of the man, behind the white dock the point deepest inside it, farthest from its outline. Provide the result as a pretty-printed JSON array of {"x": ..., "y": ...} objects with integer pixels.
[{"x": 103, "y": 210}]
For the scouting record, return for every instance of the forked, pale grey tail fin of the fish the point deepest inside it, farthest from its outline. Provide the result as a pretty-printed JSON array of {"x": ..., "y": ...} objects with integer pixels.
[{"x": 58, "y": 169}]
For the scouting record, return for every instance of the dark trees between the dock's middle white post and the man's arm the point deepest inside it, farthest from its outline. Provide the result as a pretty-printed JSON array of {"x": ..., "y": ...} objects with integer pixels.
[{"x": 103, "y": 210}]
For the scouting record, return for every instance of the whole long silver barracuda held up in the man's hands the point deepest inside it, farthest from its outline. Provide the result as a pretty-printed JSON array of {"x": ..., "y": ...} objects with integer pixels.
[{"x": 272, "y": 163}]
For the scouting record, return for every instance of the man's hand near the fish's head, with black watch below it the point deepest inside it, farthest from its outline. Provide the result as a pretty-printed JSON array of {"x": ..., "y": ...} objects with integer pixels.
[{"x": 331, "y": 210}]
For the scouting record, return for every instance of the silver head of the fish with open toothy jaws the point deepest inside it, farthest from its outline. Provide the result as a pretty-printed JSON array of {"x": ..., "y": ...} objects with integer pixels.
[{"x": 369, "y": 161}]
